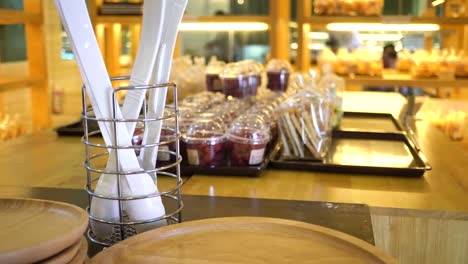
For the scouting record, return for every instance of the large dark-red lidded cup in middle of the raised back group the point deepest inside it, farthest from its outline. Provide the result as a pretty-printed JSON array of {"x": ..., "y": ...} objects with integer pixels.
[{"x": 235, "y": 81}]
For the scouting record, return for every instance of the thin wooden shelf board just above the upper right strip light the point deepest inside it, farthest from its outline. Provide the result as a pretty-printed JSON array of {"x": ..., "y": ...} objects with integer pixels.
[{"x": 323, "y": 20}]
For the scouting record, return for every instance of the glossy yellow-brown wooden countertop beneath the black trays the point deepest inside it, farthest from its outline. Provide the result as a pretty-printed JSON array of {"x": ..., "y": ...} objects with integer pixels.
[{"x": 45, "y": 160}]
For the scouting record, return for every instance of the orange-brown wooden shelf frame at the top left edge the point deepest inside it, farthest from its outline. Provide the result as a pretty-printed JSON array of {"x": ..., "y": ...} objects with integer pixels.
[{"x": 32, "y": 17}]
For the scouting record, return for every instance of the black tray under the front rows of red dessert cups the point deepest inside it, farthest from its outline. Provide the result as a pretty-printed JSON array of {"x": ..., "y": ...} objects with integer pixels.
[{"x": 226, "y": 169}]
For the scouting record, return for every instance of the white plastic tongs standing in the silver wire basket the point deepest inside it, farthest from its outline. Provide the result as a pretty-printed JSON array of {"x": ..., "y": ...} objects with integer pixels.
[{"x": 99, "y": 88}]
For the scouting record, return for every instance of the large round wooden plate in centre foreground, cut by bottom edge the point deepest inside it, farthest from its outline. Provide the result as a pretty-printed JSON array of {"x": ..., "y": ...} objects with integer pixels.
[{"x": 242, "y": 240}]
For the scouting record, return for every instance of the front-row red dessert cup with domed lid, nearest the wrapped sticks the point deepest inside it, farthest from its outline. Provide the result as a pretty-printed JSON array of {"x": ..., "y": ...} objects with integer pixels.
[{"x": 247, "y": 140}]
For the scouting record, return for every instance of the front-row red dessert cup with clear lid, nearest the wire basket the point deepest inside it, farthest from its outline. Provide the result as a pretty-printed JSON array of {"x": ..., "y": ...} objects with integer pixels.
[{"x": 205, "y": 143}]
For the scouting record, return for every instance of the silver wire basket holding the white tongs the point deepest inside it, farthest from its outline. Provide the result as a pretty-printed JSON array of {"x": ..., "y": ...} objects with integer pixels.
[{"x": 98, "y": 153}]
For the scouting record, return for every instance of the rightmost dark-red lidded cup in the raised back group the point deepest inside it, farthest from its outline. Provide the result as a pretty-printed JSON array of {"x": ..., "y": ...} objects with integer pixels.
[{"x": 278, "y": 75}]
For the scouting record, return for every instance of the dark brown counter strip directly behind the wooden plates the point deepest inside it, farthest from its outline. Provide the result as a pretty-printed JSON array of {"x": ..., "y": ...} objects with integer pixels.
[{"x": 353, "y": 219}]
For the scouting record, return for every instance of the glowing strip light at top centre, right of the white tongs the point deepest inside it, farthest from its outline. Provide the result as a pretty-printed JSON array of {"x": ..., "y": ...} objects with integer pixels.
[{"x": 223, "y": 26}]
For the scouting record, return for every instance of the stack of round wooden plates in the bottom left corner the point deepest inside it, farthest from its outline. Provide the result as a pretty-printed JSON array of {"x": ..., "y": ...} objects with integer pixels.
[{"x": 42, "y": 231}]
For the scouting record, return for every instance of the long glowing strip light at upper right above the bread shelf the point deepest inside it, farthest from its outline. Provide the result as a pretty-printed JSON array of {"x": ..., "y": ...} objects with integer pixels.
[{"x": 381, "y": 27}]
